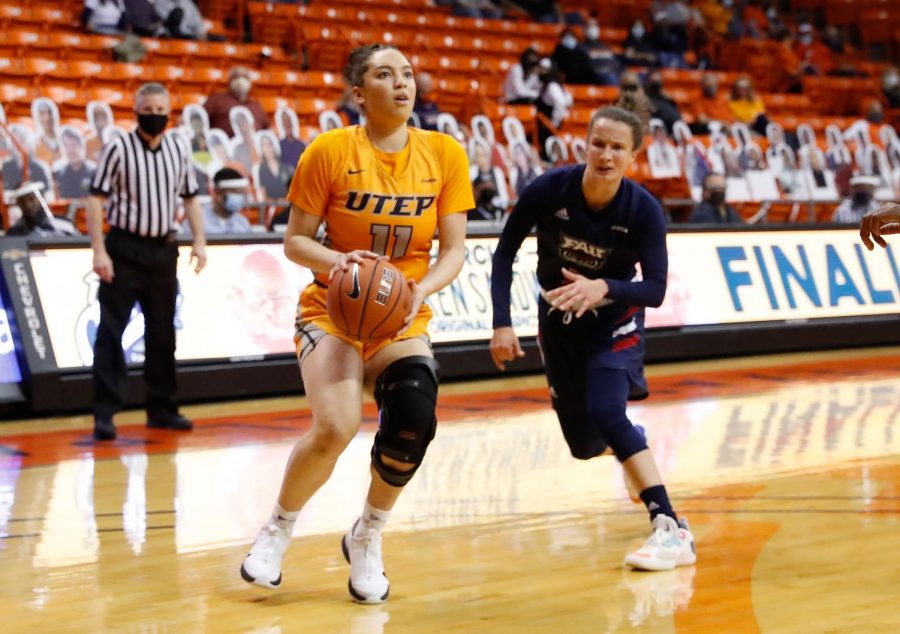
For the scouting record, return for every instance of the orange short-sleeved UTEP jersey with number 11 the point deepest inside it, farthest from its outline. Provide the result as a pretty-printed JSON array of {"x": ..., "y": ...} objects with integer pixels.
[{"x": 386, "y": 203}]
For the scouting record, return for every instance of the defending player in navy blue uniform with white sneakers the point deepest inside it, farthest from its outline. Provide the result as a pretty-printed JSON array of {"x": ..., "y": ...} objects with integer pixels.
[{"x": 594, "y": 225}]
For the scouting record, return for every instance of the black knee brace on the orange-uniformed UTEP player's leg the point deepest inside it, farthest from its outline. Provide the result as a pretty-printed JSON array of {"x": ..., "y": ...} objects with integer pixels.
[{"x": 406, "y": 394}]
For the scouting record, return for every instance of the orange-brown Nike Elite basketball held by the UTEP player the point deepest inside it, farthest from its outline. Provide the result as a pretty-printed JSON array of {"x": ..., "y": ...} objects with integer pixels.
[{"x": 369, "y": 300}]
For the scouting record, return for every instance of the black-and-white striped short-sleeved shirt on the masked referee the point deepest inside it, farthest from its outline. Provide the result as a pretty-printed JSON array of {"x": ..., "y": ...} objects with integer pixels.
[{"x": 143, "y": 185}]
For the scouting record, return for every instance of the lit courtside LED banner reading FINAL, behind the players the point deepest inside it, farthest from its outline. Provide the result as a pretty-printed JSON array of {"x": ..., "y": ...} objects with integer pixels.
[{"x": 724, "y": 288}]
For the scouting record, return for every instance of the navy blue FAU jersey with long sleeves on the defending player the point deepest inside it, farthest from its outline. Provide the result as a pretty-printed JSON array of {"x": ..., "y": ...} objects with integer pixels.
[{"x": 597, "y": 243}]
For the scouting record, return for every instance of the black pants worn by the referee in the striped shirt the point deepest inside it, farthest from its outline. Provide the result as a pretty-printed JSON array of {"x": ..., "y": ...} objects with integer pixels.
[{"x": 144, "y": 272}]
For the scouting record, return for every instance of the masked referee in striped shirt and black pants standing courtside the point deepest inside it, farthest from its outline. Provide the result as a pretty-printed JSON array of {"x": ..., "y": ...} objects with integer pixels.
[{"x": 139, "y": 177}]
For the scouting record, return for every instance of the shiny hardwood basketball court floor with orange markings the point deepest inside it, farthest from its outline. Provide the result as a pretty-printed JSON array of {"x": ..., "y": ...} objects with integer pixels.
[{"x": 787, "y": 467}]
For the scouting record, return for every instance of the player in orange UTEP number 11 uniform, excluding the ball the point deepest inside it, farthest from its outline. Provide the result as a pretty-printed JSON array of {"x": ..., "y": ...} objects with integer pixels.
[{"x": 381, "y": 189}]
